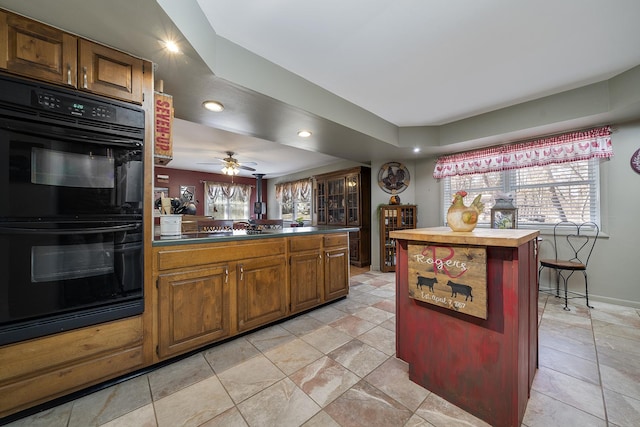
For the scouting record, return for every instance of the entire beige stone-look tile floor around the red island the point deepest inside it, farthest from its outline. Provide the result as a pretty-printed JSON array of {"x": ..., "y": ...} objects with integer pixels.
[{"x": 335, "y": 366}]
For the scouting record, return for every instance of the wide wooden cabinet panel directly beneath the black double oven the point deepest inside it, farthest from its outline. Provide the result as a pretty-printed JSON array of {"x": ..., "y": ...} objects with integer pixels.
[{"x": 39, "y": 370}]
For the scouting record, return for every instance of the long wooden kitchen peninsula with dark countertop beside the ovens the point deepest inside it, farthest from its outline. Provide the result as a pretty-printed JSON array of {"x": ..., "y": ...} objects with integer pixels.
[{"x": 214, "y": 285}]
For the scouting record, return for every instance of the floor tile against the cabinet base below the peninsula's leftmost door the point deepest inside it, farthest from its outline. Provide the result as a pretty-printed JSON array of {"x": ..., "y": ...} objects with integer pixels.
[{"x": 178, "y": 375}]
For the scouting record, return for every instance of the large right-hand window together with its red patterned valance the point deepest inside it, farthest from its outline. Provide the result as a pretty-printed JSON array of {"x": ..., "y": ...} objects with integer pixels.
[{"x": 551, "y": 179}]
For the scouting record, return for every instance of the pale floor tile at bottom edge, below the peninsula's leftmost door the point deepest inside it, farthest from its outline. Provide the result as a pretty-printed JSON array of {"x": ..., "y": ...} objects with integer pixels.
[{"x": 193, "y": 405}]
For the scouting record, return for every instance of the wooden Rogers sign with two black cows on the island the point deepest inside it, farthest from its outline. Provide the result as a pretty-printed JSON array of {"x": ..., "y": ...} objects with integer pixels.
[{"x": 453, "y": 277}]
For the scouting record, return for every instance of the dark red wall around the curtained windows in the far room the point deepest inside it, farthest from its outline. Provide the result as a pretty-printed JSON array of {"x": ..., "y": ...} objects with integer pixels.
[{"x": 178, "y": 177}]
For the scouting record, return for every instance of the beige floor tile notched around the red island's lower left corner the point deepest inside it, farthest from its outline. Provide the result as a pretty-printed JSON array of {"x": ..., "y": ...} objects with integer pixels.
[{"x": 392, "y": 378}]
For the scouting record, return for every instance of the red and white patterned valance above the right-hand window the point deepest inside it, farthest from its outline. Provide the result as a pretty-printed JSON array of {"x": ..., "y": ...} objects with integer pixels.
[{"x": 568, "y": 147}]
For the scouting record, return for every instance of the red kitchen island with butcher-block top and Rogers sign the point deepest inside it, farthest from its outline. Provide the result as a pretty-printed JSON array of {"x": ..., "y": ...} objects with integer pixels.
[{"x": 467, "y": 315}]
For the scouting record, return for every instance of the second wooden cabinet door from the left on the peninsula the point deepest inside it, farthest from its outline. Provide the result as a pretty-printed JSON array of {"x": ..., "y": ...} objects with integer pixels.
[{"x": 262, "y": 291}]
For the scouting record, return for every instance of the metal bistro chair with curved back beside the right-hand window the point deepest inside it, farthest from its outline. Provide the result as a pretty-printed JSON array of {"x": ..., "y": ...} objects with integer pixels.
[{"x": 573, "y": 244}]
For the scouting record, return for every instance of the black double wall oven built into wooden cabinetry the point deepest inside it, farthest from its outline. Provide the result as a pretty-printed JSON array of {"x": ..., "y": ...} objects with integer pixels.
[{"x": 71, "y": 208}]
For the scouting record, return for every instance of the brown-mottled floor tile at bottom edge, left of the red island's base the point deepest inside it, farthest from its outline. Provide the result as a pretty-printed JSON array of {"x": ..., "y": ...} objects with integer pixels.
[{"x": 366, "y": 406}]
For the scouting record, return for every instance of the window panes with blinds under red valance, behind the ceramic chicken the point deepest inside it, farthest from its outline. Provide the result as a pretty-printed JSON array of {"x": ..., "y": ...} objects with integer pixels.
[{"x": 543, "y": 195}]
